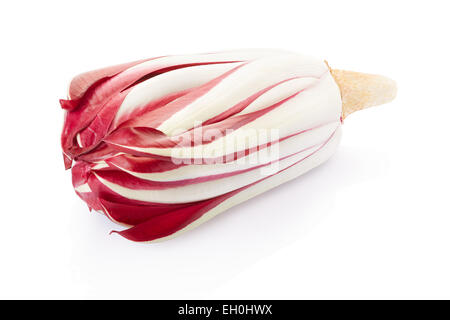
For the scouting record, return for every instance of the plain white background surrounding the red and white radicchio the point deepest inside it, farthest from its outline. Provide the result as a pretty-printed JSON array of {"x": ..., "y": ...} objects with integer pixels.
[{"x": 373, "y": 222}]
